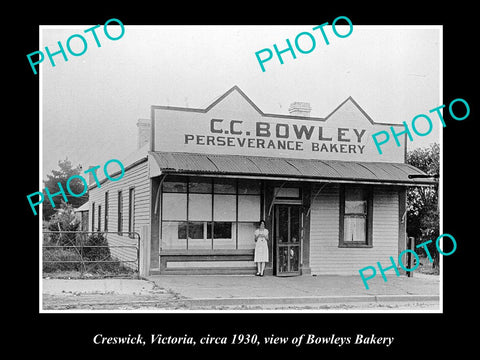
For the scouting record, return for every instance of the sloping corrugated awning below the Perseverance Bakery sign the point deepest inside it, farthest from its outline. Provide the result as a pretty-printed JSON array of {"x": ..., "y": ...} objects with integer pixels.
[{"x": 288, "y": 169}]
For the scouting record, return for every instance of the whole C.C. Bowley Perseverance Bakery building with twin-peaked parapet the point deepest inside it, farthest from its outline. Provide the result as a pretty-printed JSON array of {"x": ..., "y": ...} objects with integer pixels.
[{"x": 201, "y": 179}]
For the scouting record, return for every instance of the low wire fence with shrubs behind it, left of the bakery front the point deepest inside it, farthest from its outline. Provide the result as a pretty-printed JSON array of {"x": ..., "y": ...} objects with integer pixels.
[{"x": 96, "y": 253}]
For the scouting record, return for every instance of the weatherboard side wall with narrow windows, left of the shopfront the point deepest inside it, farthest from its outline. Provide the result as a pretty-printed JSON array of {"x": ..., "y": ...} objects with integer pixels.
[{"x": 136, "y": 178}]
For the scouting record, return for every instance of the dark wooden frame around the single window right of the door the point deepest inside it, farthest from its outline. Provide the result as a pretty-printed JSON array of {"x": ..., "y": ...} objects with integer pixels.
[{"x": 368, "y": 243}]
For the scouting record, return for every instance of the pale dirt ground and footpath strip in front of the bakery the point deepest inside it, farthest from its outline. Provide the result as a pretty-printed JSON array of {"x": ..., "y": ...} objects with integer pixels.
[{"x": 201, "y": 294}]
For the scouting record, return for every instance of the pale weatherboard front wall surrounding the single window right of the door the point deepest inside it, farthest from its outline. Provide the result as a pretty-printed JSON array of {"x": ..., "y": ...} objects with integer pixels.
[{"x": 326, "y": 257}]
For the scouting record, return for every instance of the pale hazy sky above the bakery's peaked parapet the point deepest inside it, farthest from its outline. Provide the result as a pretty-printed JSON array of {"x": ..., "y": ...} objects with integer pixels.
[{"x": 90, "y": 104}]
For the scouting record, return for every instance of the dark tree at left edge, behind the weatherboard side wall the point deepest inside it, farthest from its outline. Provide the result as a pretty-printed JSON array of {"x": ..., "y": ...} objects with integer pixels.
[{"x": 66, "y": 170}]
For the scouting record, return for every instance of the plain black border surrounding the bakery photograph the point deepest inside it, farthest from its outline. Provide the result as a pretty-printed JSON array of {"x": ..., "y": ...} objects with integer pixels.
[{"x": 65, "y": 335}]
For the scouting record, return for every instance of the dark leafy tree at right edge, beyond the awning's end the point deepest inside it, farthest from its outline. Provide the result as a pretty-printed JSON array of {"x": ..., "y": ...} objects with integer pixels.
[{"x": 422, "y": 202}]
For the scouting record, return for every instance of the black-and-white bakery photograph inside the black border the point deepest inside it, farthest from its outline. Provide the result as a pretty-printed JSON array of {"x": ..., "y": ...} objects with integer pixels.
[{"x": 283, "y": 185}]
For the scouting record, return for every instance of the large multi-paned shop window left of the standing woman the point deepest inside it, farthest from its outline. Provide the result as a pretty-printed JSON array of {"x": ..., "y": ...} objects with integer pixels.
[{"x": 206, "y": 213}]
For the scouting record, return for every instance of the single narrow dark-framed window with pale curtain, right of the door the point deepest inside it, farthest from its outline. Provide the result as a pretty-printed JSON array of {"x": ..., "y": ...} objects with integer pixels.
[{"x": 355, "y": 216}]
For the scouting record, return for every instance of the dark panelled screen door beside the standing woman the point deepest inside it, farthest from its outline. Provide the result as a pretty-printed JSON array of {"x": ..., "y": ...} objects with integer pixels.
[{"x": 286, "y": 239}]
